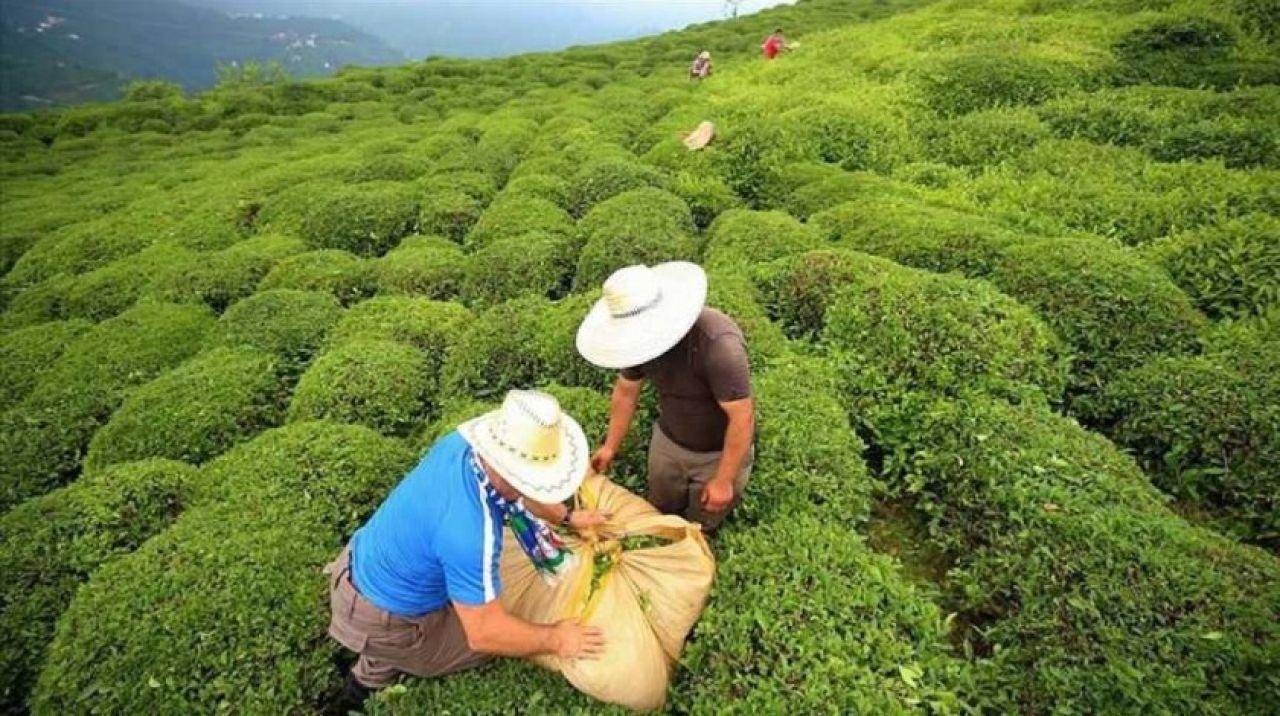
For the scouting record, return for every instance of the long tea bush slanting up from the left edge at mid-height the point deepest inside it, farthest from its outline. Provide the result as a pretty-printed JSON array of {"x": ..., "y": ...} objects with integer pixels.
[{"x": 45, "y": 436}]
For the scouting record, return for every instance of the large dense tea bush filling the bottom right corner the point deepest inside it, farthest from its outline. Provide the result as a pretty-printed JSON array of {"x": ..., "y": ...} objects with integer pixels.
[{"x": 1069, "y": 569}]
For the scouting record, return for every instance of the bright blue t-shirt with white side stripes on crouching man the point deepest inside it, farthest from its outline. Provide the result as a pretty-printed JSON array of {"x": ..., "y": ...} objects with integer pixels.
[{"x": 436, "y": 540}]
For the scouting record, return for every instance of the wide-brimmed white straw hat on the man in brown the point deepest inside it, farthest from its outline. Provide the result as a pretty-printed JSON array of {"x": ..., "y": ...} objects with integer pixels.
[{"x": 644, "y": 313}]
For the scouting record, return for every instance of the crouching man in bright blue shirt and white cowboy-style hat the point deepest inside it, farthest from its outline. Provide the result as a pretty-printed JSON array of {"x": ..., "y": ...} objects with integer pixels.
[{"x": 417, "y": 590}]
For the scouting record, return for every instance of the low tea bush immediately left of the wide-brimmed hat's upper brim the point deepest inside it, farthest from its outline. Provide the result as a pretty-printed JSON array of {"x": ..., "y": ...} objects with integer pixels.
[{"x": 538, "y": 264}]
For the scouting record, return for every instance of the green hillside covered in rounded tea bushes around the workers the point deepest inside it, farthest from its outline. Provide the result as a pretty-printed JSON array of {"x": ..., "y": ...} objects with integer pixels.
[{"x": 1007, "y": 270}]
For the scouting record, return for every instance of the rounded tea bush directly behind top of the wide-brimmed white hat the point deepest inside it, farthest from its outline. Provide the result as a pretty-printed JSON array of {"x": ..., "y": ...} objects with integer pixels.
[{"x": 646, "y": 226}]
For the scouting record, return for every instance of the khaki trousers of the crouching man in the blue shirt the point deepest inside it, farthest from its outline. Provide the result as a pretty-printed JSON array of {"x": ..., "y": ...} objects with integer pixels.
[{"x": 432, "y": 645}]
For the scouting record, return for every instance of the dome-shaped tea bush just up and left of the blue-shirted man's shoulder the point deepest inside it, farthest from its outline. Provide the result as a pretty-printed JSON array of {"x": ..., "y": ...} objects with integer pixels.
[{"x": 382, "y": 385}]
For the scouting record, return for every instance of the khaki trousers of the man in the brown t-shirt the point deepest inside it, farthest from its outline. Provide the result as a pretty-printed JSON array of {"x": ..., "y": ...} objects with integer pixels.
[{"x": 678, "y": 477}]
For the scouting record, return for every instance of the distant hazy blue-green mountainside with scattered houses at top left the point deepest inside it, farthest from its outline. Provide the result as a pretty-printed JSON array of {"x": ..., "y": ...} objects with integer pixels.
[{"x": 68, "y": 52}]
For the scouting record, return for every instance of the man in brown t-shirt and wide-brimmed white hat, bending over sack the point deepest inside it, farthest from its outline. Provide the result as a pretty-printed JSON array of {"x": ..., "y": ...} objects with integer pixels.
[{"x": 652, "y": 325}]
